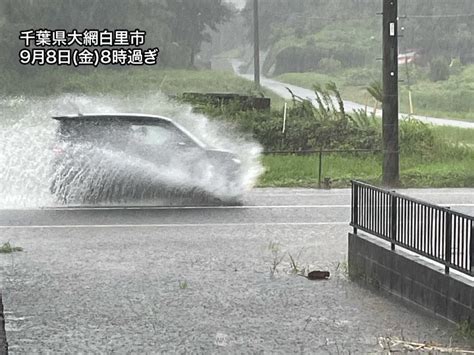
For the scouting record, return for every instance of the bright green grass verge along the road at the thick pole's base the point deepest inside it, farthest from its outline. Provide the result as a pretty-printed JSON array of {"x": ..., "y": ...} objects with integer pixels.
[{"x": 302, "y": 171}]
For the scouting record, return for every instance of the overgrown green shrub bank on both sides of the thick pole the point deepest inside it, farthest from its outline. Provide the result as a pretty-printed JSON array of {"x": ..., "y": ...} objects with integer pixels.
[{"x": 328, "y": 126}]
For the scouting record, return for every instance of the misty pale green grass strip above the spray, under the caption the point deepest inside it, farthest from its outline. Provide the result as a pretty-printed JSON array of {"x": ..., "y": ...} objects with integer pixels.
[{"x": 129, "y": 81}]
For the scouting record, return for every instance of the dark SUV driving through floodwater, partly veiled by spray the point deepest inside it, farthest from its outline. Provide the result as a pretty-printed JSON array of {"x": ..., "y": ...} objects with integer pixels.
[{"x": 117, "y": 157}]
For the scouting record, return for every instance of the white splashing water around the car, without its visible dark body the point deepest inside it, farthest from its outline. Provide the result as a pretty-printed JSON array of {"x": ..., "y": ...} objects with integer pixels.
[{"x": 28, "y": 135}]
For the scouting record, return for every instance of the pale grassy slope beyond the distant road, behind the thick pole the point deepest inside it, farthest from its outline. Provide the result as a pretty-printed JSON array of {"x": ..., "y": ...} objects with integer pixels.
[{"x": 452, "y": 98}]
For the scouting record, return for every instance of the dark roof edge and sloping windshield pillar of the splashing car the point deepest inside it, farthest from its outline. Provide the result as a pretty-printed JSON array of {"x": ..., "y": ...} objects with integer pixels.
[{"x": 132, "y": 117}]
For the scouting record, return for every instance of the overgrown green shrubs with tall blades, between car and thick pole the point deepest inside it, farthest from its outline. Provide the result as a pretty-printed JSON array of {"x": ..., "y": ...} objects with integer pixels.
[{"x": 307, "y": 127}]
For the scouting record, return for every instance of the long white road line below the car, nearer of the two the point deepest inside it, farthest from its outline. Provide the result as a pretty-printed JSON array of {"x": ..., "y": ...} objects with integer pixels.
[{"x": 174, "y": 225}]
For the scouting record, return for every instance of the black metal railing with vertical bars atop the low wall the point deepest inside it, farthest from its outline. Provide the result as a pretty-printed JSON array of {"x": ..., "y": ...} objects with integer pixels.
[{"x": 432, "y": 231}]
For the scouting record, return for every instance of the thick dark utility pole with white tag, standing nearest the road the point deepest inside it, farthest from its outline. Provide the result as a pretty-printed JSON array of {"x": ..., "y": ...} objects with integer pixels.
[{"x": 391, "y": 154}]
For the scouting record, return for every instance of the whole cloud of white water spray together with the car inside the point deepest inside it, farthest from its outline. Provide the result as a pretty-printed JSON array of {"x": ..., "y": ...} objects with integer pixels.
[{"x": 163, "y": 153}]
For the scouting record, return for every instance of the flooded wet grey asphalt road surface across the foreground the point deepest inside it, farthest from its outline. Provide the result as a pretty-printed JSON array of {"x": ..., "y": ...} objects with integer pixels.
[{"x": 199, "y": 279}]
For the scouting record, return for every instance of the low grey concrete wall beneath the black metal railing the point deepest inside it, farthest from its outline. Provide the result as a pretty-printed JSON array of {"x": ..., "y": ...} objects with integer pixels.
[{"x": 410, "y": 277}]
